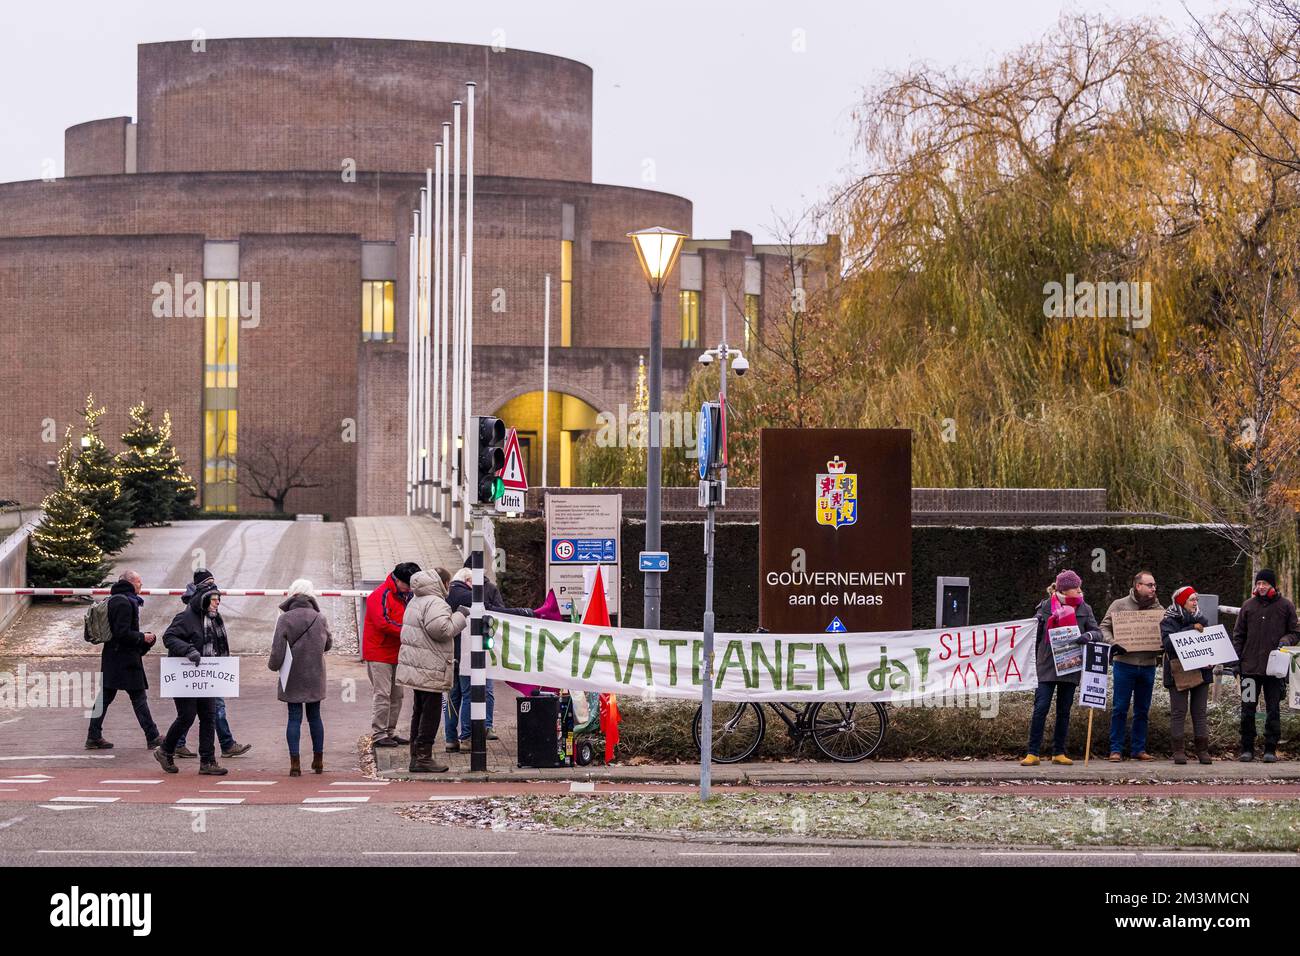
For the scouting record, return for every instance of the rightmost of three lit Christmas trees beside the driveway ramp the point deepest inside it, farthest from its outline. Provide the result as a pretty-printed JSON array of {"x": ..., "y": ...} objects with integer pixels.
[{"x": 153, "y": 471}]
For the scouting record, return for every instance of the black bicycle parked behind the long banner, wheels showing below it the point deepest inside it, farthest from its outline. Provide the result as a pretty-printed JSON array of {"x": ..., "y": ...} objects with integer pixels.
[{"x": 846, "y": 732}]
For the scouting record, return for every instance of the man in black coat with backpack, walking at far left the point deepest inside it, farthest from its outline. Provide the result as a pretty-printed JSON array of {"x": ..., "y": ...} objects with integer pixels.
[{"x": 123, "y": 664}]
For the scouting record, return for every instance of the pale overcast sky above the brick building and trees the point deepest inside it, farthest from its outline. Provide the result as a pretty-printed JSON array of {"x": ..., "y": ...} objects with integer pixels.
[{"x": 716, "y": 93}]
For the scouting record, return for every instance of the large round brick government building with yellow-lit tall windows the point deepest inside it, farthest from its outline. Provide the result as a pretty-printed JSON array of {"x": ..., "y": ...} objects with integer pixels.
[{"x": 285, "y": 172}]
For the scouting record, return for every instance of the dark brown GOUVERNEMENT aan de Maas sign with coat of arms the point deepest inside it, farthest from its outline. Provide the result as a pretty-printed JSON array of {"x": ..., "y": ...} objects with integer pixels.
[{"x": 835, "y": 530}]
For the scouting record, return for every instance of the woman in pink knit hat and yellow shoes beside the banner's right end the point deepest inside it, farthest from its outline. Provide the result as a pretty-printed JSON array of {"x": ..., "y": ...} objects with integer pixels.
[{"x": 1063, "y": 608}]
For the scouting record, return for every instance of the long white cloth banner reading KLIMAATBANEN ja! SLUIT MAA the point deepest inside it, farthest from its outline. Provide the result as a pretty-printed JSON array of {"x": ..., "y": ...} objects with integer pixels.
[{"x": 865, "y": 667}]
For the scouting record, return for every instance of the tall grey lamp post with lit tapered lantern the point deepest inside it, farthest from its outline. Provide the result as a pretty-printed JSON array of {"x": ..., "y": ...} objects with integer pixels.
[{"x": 657, "y": 252}]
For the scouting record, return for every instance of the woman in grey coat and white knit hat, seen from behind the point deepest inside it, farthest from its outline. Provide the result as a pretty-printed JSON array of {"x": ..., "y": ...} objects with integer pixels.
[{"x": 298, "y": 652}]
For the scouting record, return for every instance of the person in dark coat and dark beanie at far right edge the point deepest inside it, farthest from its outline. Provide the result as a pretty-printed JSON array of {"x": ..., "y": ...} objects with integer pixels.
[{"x": 1267, "y": 624}]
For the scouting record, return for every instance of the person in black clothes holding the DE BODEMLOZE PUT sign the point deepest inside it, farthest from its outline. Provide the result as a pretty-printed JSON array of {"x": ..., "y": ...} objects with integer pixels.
[{"x": 194, "y": 634}]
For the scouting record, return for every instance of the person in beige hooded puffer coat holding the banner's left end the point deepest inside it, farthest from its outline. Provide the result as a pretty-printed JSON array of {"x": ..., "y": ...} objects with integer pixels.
[{"x": 427, "y": 661}]
